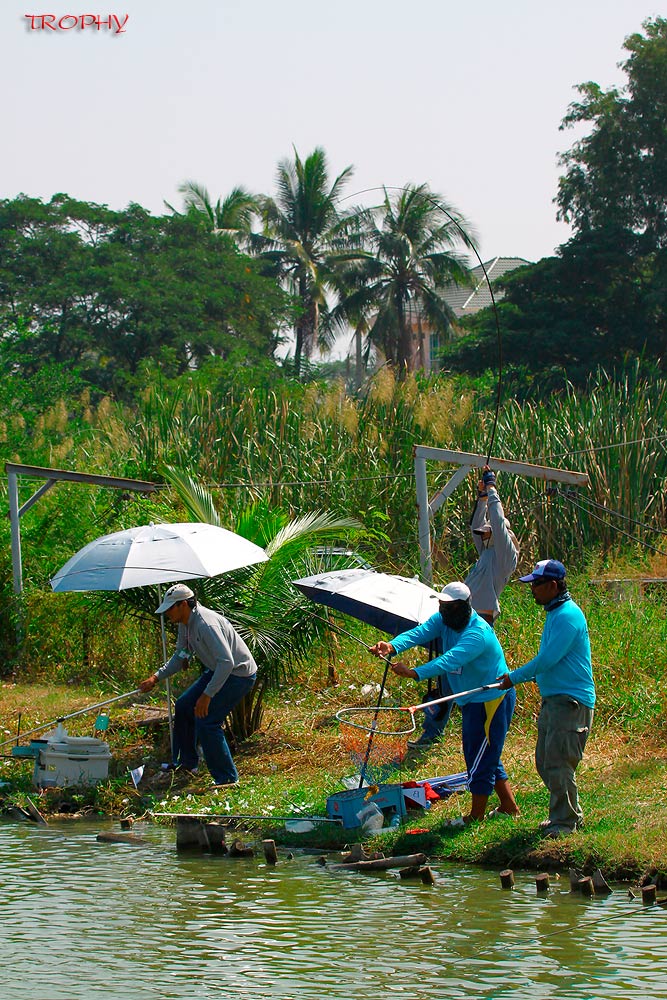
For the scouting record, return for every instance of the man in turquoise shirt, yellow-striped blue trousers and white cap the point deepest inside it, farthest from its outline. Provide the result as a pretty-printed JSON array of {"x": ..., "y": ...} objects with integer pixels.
[{"x": 472, "y": 658}]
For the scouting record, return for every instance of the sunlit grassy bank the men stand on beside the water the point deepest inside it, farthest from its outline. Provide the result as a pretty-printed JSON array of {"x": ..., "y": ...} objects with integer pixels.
[{"x": 290, "y": 767}]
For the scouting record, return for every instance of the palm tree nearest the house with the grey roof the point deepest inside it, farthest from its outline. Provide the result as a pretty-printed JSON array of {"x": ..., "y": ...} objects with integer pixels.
[{"x": 410, "y": 255}]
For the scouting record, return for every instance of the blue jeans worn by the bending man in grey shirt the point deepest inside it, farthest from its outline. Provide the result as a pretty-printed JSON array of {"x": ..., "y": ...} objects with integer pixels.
[{"x": 190, "y": 732}]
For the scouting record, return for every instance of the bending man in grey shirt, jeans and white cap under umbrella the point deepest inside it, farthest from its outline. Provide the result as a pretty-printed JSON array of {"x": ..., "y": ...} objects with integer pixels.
[{"x": 229, "y": 673}]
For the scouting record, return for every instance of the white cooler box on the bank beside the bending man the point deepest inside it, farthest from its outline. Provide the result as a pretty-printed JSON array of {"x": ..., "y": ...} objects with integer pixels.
[{"x": 72, "y": 760}]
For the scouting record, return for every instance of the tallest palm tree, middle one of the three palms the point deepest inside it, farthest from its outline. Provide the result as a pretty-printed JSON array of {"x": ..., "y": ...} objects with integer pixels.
[{"x": 305, "y": 242}]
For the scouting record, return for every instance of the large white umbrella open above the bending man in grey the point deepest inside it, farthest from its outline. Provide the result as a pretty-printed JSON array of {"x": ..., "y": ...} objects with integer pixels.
[{"x": 155, "y": 554}]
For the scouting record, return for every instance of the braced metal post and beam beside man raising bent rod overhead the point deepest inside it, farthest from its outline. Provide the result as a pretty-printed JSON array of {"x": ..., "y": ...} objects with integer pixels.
[{"x": 466, "y": 462}]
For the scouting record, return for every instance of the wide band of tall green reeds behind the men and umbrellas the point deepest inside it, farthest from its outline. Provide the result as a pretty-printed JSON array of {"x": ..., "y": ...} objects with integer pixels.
[{"x": 309, "y": 447}]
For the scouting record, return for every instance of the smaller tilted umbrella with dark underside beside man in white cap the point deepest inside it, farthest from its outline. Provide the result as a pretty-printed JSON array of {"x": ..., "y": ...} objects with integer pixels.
[{"x": 390, "y": 603}]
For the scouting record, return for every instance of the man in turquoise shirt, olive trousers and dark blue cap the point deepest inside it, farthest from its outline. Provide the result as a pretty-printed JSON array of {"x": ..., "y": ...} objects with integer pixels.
[{"x": 563, "y": 673}]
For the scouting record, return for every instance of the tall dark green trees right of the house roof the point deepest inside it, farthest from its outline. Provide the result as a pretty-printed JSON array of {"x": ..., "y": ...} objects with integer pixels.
[{"x": 602, "y": 300}]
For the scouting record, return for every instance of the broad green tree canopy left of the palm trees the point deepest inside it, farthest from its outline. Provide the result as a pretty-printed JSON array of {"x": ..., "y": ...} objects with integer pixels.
[{"x": 104, "y": 291}]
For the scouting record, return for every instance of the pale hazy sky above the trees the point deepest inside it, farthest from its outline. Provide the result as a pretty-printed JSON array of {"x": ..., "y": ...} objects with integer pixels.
[{"x": 467, "y": 98}]
